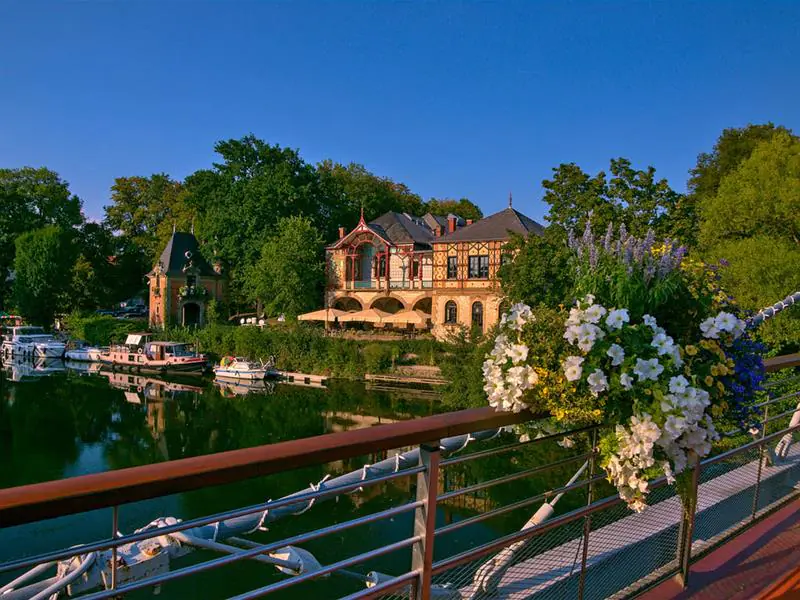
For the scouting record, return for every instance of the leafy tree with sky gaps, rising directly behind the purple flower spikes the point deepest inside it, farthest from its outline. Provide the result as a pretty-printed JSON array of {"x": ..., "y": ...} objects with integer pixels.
[{"x": 630, "y": 196}]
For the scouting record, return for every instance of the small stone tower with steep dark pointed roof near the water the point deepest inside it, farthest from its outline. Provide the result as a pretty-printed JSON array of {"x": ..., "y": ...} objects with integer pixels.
[{"x": 181, "y": 284}]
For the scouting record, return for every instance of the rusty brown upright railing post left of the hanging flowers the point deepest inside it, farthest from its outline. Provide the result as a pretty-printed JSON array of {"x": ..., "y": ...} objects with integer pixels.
[{"x": 425, "y": 517}]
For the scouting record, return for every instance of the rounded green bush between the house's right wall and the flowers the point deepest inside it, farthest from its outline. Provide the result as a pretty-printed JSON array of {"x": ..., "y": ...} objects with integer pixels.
[{"x": 541, "y": 272}]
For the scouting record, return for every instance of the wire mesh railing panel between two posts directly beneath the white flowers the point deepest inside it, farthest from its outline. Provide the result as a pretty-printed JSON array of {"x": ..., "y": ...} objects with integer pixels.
[{"x": 627, "y": 548}]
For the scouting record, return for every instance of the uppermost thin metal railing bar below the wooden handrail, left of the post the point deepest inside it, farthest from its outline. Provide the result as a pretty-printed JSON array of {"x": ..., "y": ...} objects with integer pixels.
[{"x": 184, "y": 525}]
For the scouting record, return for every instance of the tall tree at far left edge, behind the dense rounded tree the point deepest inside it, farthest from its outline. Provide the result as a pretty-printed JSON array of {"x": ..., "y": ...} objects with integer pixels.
[{"x": 31, "y": 198}]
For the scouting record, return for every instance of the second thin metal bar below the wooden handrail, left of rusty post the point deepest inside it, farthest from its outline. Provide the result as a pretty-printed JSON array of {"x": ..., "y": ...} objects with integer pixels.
[{"x": 246, "y": 554}]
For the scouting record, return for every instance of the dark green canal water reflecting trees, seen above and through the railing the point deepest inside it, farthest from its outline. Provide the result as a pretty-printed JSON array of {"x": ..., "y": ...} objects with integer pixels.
[{"x": 58, "y": 422}]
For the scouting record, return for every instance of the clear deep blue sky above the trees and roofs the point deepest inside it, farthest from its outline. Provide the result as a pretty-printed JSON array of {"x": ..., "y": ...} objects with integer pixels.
[{"x": 452, "y": 98}]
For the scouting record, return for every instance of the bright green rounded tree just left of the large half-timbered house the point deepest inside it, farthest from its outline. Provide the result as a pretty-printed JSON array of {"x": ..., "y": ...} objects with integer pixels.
[{"x": 289, "y": 276}]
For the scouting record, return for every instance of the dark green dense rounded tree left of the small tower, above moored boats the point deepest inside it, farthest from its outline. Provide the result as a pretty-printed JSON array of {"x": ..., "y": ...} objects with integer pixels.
[{"x": 43, "y": 269}]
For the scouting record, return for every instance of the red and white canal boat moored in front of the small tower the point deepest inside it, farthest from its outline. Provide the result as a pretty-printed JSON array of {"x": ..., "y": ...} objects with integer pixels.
[{"x": 139, "y": 353}]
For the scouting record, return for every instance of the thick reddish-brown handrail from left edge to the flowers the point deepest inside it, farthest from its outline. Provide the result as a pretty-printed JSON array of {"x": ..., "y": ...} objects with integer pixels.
[{"x": 25, "y": 504}]
